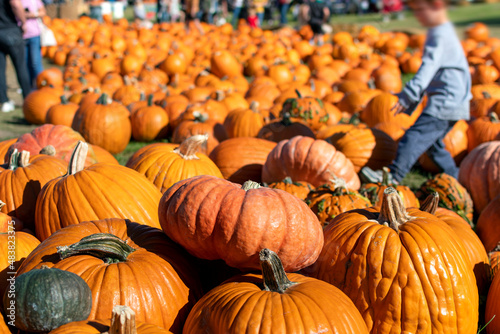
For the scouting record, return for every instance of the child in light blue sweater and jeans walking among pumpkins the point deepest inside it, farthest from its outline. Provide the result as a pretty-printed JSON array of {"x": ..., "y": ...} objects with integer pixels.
[{"x": 444, "y": 76}]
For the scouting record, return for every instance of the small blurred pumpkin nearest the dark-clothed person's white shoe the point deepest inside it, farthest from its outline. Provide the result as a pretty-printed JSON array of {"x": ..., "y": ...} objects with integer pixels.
[{"x": 37, "y": 104}]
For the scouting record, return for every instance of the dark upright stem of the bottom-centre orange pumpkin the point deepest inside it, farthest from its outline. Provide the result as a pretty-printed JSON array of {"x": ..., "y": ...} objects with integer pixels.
[{"x": 275, "y": 279}]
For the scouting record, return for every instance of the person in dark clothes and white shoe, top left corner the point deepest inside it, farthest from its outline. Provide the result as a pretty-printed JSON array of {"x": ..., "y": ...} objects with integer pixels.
[{"x": 12, "y": 44}]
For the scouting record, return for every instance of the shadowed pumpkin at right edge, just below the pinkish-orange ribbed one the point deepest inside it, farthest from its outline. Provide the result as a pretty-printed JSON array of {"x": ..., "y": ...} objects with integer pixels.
[{"x": 487, "y": 224}]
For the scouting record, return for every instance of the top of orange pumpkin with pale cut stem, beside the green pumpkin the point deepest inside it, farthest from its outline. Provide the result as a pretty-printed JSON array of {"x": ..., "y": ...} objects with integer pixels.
[{"x": 122, "y": 322}]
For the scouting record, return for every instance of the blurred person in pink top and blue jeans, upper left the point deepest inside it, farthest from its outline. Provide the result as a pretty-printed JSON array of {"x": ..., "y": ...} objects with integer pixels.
[{"x": 33, "y": 51}]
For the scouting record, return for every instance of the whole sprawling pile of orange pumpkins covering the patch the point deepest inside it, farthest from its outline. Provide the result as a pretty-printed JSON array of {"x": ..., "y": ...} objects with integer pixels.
[{"x": 260, "y": 179}]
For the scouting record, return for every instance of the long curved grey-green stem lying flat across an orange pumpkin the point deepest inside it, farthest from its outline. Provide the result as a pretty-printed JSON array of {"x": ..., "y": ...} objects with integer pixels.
[{"x": 105, "y": 246}]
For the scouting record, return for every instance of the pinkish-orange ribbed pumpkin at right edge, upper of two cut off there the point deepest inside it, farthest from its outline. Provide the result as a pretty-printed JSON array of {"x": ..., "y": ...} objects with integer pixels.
[{"x": 480, "y": 173}]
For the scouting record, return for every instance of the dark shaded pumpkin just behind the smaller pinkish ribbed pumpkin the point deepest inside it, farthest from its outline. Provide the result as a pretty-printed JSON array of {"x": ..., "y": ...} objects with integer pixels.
[{"x": 284, "y": 128}]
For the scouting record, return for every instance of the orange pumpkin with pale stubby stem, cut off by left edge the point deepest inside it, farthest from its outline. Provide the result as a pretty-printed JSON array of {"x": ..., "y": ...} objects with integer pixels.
[{"x": 21, "y": 181}]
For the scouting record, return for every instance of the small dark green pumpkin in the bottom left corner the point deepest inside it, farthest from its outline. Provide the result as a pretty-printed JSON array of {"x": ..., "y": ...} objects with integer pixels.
[{"x": 47, "y": 298}]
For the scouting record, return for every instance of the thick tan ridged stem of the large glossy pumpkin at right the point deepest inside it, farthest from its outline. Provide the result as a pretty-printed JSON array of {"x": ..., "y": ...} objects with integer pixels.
[{"x": 392, "y": 212}]
